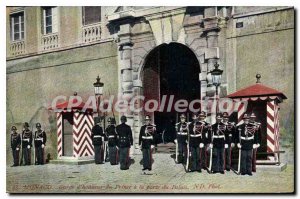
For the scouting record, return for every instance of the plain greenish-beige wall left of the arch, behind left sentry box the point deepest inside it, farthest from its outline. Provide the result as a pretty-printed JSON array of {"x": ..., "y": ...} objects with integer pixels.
[{"x": 33, "y": 82}]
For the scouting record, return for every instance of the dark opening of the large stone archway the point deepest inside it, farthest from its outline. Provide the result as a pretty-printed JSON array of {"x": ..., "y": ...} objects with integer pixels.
[{"x": 170, "y": 69}]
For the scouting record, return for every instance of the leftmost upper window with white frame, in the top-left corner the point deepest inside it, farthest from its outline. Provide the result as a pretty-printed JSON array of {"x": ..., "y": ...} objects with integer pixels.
[{"x": 17, "y": 26}]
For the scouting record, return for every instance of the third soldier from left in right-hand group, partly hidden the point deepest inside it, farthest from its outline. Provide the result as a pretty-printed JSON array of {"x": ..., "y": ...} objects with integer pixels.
[{"x": 205, "y": 132}]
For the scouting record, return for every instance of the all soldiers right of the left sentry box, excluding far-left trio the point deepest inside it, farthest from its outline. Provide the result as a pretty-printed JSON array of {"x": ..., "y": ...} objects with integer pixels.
[{"x": 198, "y": 145}]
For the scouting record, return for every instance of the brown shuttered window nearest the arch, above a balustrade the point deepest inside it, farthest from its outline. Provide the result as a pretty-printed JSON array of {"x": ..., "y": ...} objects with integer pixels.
[{"x": 91, "y": 14}]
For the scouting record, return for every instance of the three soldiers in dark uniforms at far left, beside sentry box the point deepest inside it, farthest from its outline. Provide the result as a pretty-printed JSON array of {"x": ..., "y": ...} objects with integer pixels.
[{"x": 23, "y": 143}]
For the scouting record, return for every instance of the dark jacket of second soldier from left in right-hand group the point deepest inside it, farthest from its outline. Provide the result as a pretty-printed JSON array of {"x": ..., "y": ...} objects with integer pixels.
[{"x": 196, "y": 133}]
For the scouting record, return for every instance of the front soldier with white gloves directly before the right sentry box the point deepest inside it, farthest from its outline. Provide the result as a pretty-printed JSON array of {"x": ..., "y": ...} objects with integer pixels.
[{"x": 247, "y": 141}]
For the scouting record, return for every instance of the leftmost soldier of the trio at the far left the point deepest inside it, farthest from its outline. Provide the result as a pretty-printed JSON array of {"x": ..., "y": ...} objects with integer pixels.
[{"x": 15, "y": 143}]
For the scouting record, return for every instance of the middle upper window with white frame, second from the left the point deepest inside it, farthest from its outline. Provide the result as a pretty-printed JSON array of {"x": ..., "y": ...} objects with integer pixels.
[{"x": 50, "y": 20}]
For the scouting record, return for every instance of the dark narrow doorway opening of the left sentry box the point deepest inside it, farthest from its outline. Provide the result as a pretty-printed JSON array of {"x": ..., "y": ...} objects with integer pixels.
[{"x": 68, "y": 134}]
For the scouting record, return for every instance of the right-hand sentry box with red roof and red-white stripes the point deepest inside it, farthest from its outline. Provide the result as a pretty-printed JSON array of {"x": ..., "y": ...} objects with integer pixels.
[{"x": 264, "y": 102}]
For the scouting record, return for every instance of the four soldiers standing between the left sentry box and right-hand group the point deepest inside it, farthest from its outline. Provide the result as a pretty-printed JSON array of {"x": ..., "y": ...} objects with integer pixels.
[{"x": 118, "y": 139}]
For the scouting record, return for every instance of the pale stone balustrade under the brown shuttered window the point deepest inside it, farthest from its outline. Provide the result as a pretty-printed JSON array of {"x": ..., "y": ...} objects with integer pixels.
[{"x": 91, "y": 33}]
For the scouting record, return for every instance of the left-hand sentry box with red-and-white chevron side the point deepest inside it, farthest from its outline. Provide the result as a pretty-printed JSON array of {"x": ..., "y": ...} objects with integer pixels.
[{"x": 74, "y": 125}]
